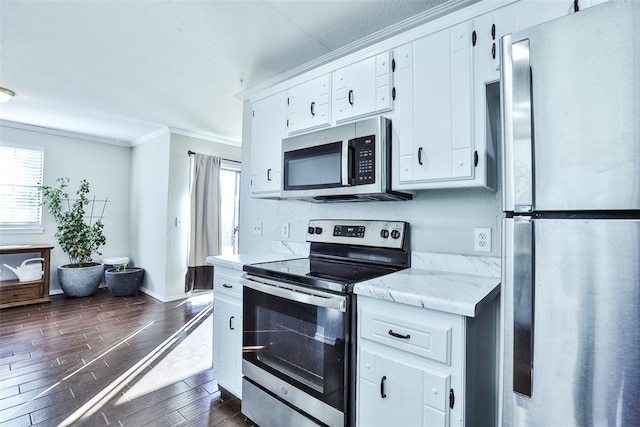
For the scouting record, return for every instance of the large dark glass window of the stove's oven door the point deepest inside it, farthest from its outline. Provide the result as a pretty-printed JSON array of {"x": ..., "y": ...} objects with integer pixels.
[{"x": 299, "y": 343}]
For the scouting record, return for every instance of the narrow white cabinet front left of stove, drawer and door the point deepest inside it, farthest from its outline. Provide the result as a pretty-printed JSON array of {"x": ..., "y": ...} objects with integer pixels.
[{"x": 227, "y": 330}]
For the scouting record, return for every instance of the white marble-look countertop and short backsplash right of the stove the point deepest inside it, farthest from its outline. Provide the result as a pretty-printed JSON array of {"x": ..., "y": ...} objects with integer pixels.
[{"x": 433, "y": 283}]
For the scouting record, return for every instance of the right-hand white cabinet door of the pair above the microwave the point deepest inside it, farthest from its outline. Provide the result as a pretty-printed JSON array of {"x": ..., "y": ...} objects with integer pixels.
[{"x": 362, "y": 88}]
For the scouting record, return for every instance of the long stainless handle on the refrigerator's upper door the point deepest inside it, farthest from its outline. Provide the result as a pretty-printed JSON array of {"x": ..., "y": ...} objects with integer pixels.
[{"x": 517, "y": 111}]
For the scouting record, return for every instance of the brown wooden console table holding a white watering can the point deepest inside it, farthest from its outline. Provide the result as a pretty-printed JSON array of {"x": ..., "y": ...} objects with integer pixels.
[{"x": 15, "y": 293}]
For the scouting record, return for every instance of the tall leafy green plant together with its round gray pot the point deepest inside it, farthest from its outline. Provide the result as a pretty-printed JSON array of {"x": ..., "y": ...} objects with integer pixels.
[{"x": 79, "y": 235}]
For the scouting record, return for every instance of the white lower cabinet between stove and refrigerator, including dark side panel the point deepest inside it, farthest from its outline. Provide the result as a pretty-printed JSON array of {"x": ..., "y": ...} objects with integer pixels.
[{"x": 420, "y": 367}]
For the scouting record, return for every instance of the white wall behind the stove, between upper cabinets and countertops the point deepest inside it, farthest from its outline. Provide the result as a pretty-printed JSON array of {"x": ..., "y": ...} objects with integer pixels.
[{"x": 441, "y": 220}]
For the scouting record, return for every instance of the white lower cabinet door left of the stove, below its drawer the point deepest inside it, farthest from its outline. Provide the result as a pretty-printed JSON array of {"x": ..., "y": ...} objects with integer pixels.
[{"x": 227, "y": 339}]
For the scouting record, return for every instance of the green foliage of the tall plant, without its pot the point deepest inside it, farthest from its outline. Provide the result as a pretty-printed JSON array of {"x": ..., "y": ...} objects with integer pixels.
[{"x": 78, "y": 234}]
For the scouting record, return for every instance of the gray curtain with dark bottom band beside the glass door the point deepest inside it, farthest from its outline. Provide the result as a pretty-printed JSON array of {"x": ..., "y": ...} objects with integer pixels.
[{"x": 205, "y": 224}]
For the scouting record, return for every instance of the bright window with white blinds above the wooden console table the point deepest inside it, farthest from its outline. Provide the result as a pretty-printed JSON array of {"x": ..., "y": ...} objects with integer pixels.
[{"x": 20, "y": 176}]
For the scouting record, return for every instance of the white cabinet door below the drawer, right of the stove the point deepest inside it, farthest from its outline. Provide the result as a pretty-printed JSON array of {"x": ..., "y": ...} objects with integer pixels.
[{"x": 393, "y": 392}]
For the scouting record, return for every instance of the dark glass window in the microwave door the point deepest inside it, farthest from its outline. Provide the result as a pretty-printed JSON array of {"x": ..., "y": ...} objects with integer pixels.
[{"x": 314, "y": 167}]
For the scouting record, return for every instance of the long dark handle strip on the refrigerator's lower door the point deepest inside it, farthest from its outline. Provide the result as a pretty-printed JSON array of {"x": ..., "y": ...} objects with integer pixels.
[{"x": 523, "y": 305}]
